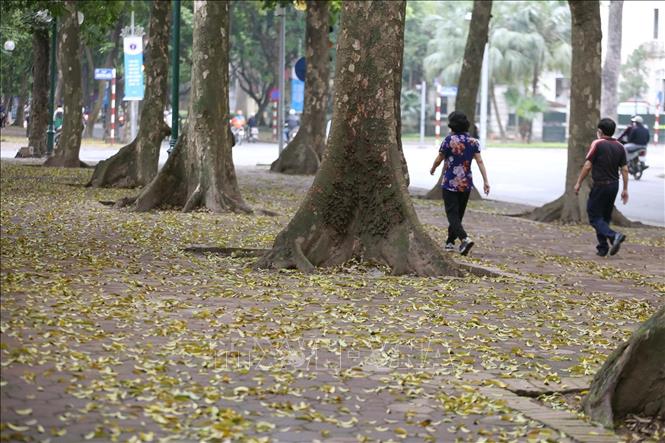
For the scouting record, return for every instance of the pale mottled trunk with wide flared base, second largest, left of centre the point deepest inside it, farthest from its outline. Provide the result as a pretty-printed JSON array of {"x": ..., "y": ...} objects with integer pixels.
[{"x": 200, "y": 172}]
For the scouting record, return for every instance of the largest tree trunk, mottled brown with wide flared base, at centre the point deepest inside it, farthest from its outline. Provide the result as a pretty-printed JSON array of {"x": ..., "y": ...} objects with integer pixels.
[{"x": 358, "y": 206}]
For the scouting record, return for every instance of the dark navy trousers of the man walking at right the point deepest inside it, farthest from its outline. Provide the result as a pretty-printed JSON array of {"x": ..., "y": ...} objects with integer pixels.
[{"x": 599, "y": 209}]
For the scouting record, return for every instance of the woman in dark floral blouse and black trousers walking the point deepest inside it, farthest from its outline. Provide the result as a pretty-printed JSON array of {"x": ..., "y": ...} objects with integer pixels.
[{"x": 458, "y": 150}]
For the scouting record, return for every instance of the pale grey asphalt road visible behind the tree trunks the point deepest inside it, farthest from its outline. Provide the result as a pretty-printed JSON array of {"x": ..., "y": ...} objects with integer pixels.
[{"x": 520, "y": 175}]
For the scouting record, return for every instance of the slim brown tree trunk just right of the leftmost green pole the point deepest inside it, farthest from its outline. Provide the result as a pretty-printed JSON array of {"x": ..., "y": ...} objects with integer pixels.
[{"x": 67, "y": 153}]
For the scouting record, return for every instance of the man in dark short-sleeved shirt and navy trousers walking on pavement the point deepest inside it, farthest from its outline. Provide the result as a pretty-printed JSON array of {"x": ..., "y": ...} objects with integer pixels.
[{"x": 605, "y": 158}]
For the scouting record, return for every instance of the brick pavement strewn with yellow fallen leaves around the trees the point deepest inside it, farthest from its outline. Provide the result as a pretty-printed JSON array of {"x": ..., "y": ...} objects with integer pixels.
[{"x": 111, "y": 331}]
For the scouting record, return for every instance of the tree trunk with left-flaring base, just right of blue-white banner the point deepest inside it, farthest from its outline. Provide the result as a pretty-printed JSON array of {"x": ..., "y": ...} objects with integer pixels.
[{"x": 136, "y": 164}]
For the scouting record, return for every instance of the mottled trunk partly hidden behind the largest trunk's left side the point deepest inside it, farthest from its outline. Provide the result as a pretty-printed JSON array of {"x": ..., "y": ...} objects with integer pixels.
[{"x": 303, "y": 155}]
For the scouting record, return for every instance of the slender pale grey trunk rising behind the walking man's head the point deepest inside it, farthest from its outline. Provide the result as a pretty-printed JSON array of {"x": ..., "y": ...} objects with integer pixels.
[{"x": 612, "y": 67}]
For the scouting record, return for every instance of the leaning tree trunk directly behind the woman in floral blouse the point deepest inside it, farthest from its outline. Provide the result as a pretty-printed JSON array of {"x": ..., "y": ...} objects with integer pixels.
[{"x": 469, "y": 78}]
